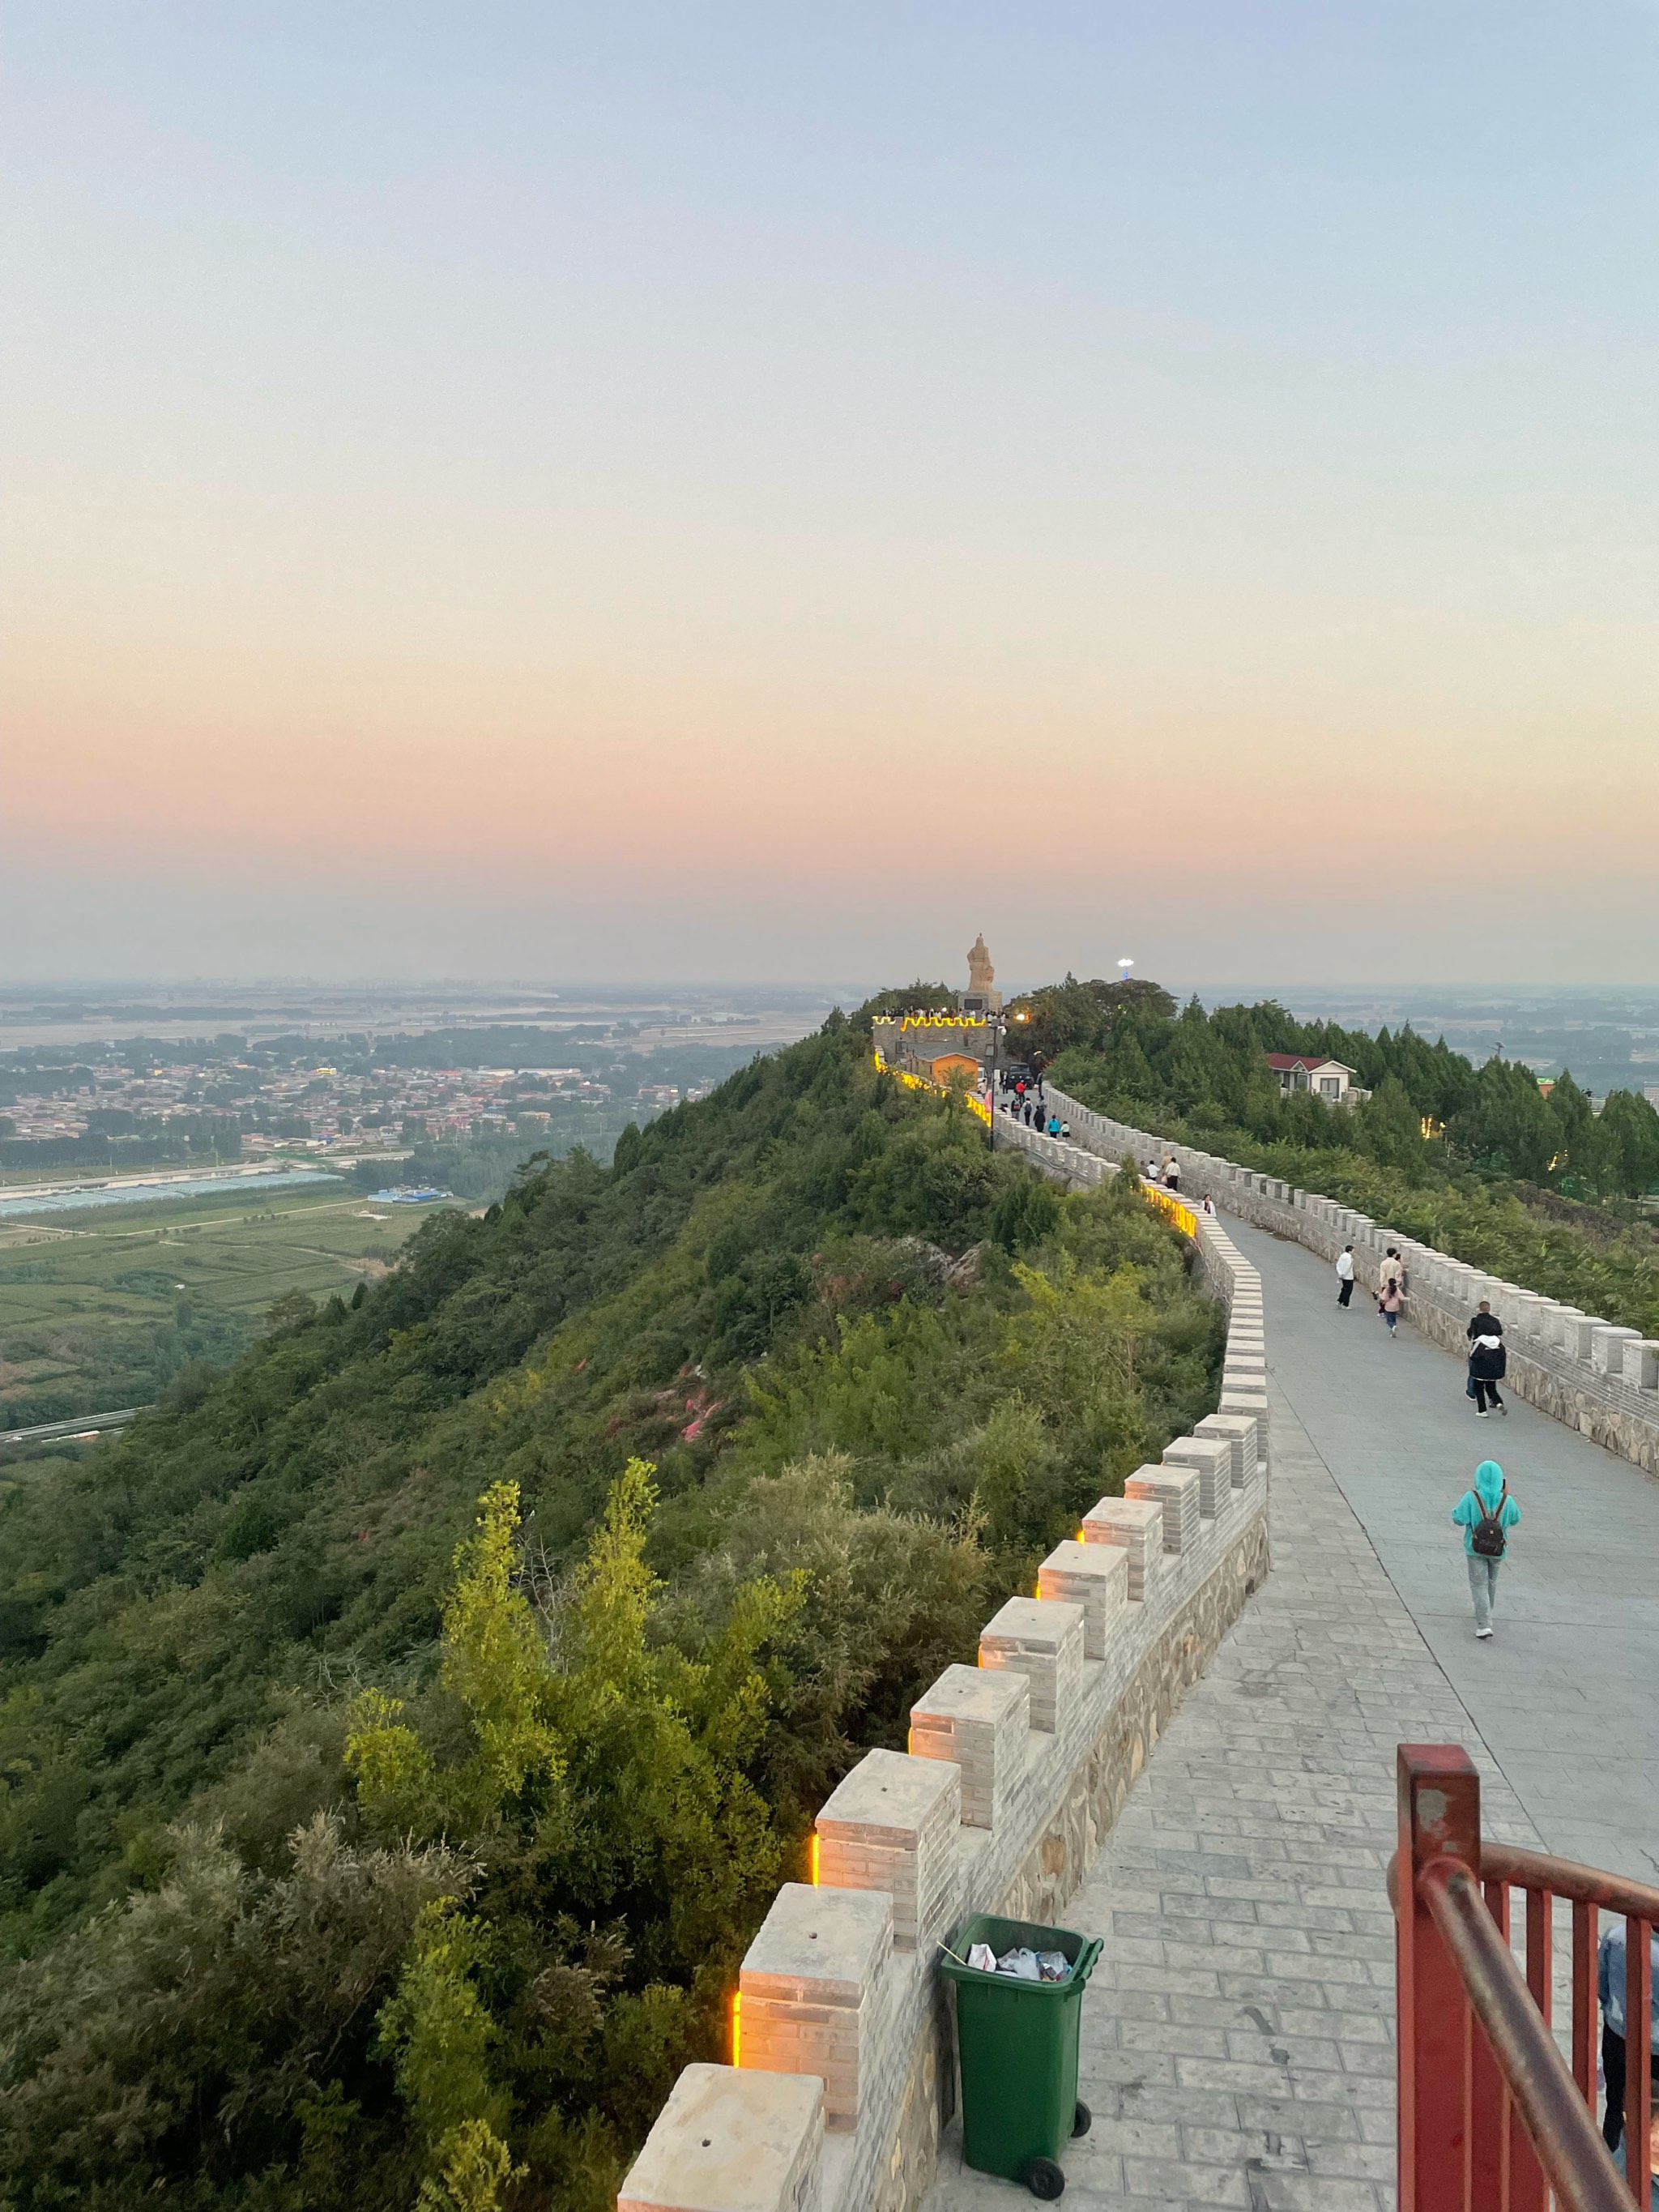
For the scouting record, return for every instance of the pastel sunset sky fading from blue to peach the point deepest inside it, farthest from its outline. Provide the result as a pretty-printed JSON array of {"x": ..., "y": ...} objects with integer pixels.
[{"x": 678, "y": 492}]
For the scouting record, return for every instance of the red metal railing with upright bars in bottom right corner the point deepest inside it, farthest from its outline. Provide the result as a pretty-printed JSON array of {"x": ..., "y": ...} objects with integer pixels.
[{"x": 1492, "y": 2116}]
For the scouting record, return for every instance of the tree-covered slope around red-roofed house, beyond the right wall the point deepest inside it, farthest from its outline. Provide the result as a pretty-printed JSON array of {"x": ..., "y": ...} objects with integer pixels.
[{"x": 1477, "y": 1162}]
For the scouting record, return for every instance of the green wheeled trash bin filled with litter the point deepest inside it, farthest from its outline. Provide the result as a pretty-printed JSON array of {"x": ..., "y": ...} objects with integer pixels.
[{"x": 1019, "y": 2049}]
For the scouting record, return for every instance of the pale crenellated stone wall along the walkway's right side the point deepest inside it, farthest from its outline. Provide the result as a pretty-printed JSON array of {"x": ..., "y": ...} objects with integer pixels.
[{"x": 1578, "y": 1368}]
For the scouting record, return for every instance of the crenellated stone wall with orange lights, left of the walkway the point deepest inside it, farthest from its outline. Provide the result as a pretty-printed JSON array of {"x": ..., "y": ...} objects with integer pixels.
[{"x": 844, "y": 2065}]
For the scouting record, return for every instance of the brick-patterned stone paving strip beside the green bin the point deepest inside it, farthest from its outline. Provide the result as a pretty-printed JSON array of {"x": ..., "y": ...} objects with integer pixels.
[{"x": 1240, "y": 2030}]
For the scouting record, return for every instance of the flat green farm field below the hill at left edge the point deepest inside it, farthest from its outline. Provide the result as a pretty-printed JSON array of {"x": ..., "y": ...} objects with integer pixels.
[{"x": 105, "y": 1308}]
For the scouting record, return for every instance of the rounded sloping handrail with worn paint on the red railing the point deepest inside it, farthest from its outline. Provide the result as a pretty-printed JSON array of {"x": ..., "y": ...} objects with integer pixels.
[{"x": 1547, "y": 2100}]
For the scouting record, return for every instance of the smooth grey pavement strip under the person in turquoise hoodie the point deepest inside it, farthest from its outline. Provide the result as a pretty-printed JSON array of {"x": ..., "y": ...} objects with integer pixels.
[{"x": 1567, "y": 1693}]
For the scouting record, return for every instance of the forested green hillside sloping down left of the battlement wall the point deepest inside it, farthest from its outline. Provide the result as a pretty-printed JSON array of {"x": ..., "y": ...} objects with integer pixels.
[{"x": 404, "y": 1731}]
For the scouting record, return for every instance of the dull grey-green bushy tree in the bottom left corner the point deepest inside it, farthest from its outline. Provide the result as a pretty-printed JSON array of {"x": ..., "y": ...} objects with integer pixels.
[{"x": 189, "y": 2038}]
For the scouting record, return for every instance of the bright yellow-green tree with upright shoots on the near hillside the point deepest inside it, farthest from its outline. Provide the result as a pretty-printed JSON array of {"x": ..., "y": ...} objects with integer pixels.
[{"x": 609, "y": 1782}]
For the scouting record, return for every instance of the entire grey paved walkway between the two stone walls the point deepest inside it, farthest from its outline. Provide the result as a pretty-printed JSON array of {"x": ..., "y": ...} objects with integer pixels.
[{"x": 1240, "y": 2030}]
